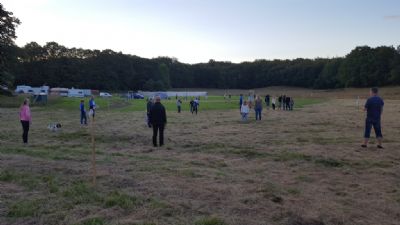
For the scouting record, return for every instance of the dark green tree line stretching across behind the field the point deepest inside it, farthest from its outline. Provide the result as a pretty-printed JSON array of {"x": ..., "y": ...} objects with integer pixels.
[{"x": 58, "y": 66}]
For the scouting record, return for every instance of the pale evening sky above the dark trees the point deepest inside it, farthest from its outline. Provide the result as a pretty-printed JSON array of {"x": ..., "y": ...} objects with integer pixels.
[{"x": 195, "y": 31}]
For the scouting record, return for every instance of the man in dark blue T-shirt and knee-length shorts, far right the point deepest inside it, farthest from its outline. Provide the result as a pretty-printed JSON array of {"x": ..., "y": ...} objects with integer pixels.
[{"x": 374, "y": 109}]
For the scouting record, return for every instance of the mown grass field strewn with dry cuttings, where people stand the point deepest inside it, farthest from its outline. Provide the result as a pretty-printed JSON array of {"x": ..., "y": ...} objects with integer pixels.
[{"x": 302, "y": 167}]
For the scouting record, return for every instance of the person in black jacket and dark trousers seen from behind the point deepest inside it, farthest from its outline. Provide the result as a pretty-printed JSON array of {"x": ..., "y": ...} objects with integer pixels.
[{"x": 158, "y": 119}]
